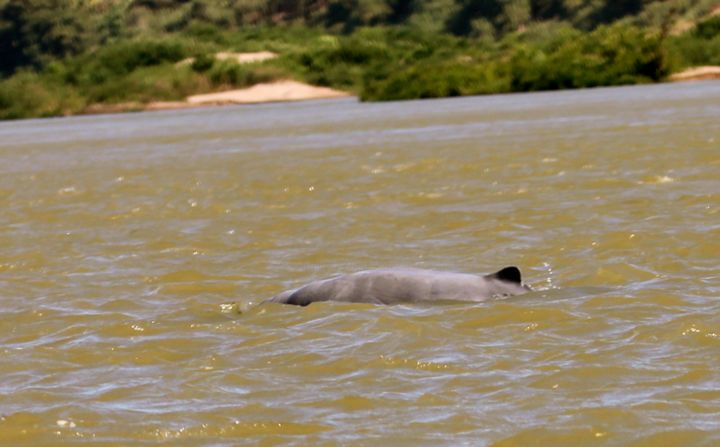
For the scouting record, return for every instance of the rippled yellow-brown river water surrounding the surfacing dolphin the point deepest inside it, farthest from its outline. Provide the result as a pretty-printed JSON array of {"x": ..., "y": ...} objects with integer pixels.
[{"x": 130, "y": 244}]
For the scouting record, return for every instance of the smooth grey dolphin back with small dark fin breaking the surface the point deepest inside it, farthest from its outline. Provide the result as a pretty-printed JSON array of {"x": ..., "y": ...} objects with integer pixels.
[{"x": 406, "y": 285}]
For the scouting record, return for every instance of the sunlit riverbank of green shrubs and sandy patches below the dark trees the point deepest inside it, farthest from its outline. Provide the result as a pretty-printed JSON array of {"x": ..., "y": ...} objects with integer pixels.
[{"x": 209, "y": 66}]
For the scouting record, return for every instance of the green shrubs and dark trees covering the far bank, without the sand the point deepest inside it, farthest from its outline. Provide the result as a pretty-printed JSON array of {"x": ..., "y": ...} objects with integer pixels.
[{"x": 61, "y": 57}]
